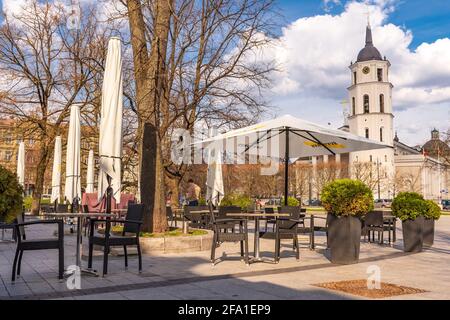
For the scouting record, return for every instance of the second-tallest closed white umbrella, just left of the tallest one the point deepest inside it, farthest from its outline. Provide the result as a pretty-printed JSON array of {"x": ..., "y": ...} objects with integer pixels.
[{"x": 72, "y": 188}]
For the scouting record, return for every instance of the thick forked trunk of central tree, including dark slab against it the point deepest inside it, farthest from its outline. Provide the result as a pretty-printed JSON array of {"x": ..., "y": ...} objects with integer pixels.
[{"x": 150, "y": 74}]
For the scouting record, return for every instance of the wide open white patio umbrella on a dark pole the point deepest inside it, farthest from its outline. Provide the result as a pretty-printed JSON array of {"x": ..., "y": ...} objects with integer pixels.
[{"x": 288, "y": 137}]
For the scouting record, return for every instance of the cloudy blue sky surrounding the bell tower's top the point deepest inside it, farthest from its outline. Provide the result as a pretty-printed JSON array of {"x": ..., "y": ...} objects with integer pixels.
[{"x": 318, "y": 39}]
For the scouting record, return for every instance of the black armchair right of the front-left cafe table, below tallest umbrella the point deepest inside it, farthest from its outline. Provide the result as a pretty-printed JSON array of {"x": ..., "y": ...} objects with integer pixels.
[{"x": 129, "y": 237}]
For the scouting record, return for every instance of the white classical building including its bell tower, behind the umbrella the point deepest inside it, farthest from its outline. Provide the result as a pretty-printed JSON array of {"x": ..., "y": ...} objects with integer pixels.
[{"x": 391, "y": 170}]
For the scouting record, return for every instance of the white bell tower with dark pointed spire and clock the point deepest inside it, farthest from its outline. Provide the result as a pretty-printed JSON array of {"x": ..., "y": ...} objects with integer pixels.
[{"x": 370, "y": 96}]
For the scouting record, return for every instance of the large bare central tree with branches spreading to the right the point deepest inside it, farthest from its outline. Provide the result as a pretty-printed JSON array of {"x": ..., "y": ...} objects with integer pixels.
[{"x": 201, "y": 67}]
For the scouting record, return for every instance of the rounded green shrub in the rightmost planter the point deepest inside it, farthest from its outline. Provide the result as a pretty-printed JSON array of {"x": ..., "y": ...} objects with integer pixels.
[{"x": 409, "y": 206}]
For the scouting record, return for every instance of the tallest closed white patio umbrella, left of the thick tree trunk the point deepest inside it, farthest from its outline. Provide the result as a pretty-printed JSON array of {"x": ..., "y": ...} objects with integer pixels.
[{"x": 110, "y": 142}]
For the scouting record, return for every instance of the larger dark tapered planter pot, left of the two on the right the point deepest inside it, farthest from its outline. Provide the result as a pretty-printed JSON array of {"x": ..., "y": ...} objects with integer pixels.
[{"x": 344, "y": 236}]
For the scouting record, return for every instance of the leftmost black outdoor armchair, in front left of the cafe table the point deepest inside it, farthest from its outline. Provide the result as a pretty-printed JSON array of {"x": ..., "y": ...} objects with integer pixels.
[{"x": 24, "y": 244}]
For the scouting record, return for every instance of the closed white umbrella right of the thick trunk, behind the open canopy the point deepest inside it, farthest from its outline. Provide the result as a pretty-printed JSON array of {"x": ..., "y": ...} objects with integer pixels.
[{"x": 214, "y": 179}]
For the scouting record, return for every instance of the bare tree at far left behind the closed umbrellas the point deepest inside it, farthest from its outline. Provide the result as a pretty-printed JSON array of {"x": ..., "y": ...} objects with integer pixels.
[{"x": 45, "y": 68}]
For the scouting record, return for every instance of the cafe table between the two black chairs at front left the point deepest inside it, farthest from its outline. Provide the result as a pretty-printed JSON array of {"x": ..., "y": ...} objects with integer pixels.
[{"x": 80, "y": 220}]
